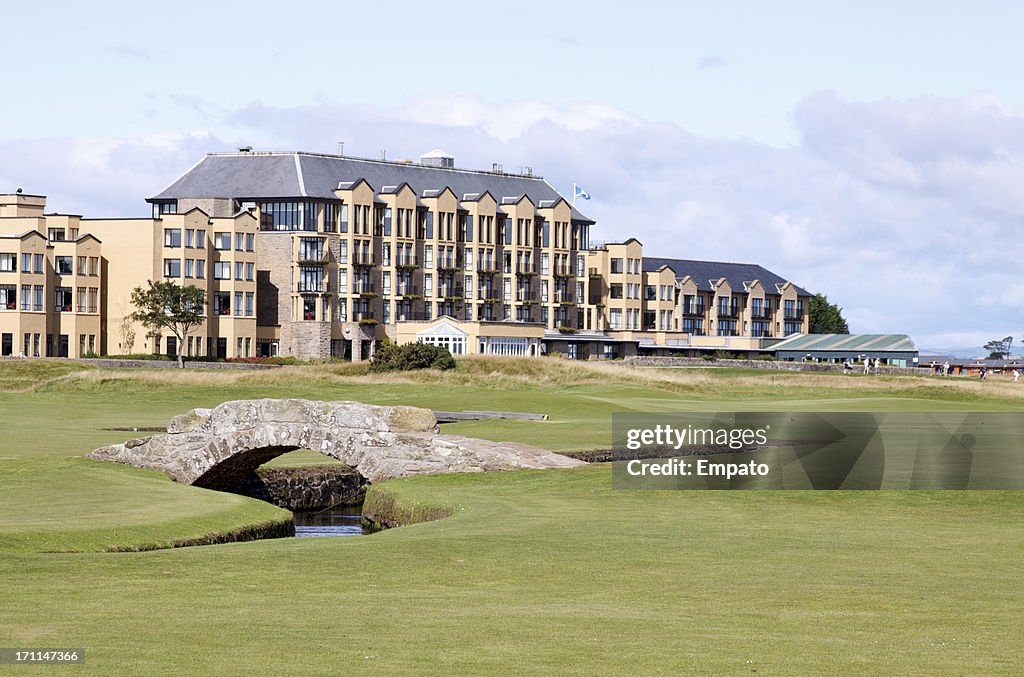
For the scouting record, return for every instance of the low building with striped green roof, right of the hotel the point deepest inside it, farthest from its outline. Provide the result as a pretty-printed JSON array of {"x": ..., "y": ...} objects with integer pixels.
[{"x": 894, "y": 350}]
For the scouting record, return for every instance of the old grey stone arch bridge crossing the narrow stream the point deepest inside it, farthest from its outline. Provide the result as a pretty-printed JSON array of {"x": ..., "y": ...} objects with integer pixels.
[{"x": 223, "y": 448}]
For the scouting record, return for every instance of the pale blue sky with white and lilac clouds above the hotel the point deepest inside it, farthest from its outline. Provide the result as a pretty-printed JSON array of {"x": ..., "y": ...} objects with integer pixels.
[{"x": 873, "y": 151}]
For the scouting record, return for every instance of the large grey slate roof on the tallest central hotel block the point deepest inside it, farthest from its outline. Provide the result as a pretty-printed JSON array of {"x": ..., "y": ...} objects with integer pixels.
[{"x": 296, "y": 176}]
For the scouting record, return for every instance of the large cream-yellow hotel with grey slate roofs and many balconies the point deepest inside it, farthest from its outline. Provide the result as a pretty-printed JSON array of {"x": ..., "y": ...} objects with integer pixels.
[{"x": 318, "y": 257}]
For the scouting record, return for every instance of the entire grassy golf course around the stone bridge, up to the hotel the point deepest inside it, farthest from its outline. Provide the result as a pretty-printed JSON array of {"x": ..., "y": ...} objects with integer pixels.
[{"x": 540, "y": 572}]
